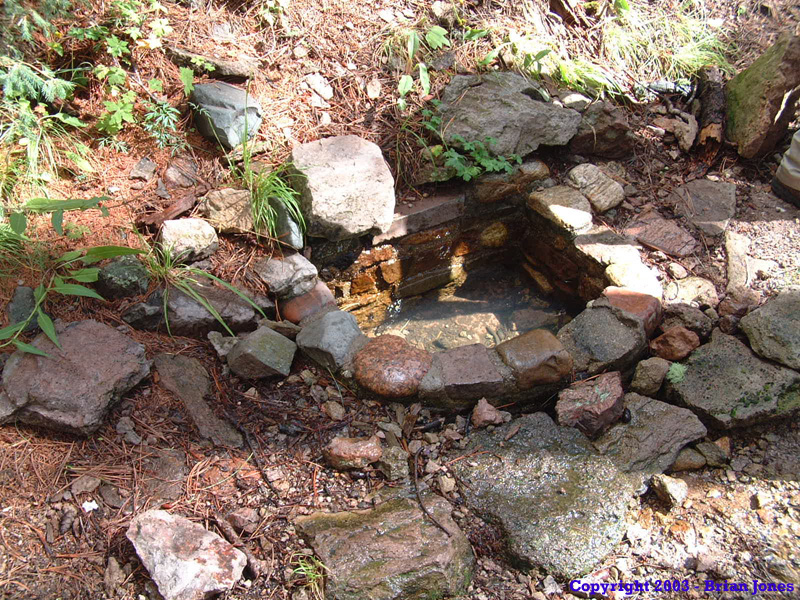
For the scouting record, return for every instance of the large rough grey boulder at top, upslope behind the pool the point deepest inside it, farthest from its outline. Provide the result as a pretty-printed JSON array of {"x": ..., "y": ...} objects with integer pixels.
[{"x": 507, "y": 108}]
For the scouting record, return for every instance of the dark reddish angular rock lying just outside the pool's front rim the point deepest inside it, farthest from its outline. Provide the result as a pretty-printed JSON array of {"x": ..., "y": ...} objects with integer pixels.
[{"x": 591, "y": 406}]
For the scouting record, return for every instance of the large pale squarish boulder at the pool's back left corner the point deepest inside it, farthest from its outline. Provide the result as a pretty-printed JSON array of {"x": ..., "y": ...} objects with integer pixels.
[{"x": 346, "y": 188}]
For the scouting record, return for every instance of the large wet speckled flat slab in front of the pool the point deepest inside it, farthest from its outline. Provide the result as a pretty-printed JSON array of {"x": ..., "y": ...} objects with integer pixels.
[{"x": 560, "y": 505}]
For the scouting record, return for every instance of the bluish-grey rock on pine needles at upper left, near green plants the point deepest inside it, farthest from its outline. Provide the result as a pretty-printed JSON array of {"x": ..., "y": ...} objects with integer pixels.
[{"x": 225, "y": 114}]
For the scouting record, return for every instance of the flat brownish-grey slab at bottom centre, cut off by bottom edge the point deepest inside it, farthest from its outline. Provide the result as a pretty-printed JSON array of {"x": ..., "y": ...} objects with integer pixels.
[{"x": 392, "y": 551}]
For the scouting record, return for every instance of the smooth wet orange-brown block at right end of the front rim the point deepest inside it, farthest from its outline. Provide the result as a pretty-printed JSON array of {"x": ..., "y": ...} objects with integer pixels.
[{"x": 536, "y": 357}]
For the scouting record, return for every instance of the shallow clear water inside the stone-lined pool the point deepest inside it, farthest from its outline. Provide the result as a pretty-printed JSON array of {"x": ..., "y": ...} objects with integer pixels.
[{"x": 492, "y": 304}]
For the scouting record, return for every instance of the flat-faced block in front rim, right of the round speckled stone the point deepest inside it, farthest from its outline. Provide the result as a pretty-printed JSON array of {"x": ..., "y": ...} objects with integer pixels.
[{"x": 468, "y": 373}]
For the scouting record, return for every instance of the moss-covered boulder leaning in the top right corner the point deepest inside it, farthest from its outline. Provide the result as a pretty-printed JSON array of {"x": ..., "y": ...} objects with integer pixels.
[{"x": 757, "y": 105}]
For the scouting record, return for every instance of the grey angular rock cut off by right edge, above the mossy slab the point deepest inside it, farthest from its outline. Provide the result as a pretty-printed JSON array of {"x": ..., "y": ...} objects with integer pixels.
[{"x": 774, "y": 329}]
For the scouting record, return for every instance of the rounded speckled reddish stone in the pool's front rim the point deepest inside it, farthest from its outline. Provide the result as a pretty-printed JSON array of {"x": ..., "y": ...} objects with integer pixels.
[{"x": 389, "y": 366}]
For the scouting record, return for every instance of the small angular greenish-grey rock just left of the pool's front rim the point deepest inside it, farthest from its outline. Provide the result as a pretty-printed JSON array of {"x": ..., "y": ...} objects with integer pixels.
[{"x": 262, "y": 353}]
